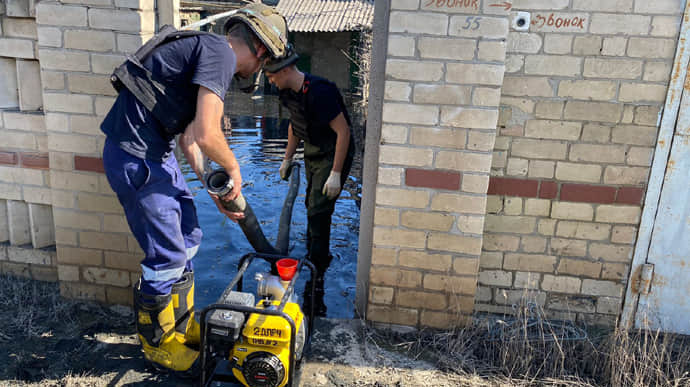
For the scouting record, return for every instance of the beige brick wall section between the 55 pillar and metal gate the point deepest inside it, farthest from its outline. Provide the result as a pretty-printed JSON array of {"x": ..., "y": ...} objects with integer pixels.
[{"x": 576, "y": 135}]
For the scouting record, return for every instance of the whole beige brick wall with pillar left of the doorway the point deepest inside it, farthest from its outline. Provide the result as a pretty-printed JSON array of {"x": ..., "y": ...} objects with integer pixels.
[{"x": 59, "y": 220}]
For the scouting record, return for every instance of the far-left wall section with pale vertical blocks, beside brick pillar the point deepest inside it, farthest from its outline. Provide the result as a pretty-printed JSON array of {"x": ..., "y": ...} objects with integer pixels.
[{"x": 27, "y": 235}]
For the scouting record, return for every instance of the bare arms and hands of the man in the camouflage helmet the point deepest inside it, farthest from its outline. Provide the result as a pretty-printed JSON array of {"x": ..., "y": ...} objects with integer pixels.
[{"x": 205, "y": 136}]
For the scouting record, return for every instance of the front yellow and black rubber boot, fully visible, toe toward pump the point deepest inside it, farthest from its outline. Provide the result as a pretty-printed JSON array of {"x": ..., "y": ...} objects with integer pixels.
[{"x": 155, "y": 321}]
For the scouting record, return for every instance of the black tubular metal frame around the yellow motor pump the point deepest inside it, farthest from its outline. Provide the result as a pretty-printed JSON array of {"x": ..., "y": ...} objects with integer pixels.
[{"x": 237, "y": 281}]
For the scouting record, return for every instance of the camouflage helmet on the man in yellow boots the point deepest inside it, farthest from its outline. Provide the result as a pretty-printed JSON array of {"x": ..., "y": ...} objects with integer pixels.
[{"x": 266, "y": 23}]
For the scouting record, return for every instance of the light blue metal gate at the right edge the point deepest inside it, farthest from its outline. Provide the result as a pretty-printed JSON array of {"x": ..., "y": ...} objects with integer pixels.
[{"x": 658, "y": 294}]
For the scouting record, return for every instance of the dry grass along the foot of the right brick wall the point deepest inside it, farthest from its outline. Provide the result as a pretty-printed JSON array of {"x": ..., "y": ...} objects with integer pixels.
[{"x": 524, "y": 351}]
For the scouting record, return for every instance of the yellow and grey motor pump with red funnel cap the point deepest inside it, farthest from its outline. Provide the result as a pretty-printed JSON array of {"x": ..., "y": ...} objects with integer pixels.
[{"x": 255, "y": 343}]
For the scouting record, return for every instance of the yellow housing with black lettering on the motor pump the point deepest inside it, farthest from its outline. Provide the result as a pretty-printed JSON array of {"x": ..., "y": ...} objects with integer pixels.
[{"x": 263, "y": 351}]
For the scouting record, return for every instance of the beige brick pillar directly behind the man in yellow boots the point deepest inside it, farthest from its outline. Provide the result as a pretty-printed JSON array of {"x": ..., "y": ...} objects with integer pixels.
[{"x": 79, "y": 43}]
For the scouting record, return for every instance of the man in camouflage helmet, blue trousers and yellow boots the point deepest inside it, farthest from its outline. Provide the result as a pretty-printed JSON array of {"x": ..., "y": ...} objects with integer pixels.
[{"x": 194, "y": 71}]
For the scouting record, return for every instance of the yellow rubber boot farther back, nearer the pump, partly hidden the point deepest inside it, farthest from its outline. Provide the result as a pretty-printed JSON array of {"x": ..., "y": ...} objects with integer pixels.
[{"x": 188, "y": 331}]
